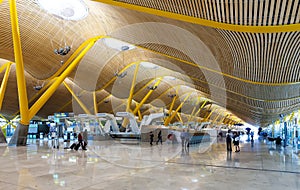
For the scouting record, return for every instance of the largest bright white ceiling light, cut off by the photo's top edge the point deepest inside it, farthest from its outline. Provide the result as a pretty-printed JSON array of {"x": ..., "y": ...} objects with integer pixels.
[{"x": 65, "y": 9}]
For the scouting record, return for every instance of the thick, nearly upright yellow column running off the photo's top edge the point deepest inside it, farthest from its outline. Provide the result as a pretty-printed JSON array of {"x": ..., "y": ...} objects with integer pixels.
[{"x": 22, "y": 92}]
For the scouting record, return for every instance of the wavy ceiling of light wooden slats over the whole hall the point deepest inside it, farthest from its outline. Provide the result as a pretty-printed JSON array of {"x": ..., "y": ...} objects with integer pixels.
[{"x": 254, "y": 75}]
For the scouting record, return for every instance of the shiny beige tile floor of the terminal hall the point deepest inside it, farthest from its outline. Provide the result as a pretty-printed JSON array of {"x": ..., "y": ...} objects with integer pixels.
[{"x": 121, "y": 166}]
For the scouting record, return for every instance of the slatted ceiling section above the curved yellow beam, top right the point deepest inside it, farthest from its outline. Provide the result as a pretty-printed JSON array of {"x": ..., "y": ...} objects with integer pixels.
[{"x": 237, "y": 12}]
